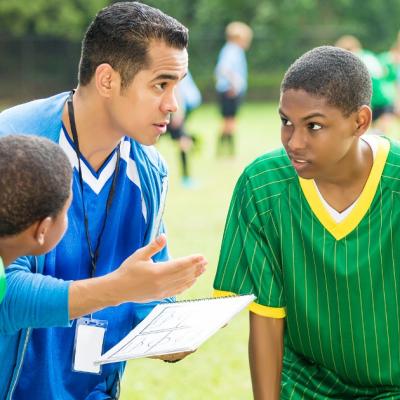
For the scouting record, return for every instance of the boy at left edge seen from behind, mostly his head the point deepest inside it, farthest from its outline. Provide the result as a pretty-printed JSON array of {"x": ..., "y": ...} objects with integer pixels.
[{"x": 35, "y": 194}]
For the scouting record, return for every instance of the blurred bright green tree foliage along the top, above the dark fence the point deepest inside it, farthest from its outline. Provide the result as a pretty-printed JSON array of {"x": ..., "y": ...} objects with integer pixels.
[{"x": 283, "y": 29}]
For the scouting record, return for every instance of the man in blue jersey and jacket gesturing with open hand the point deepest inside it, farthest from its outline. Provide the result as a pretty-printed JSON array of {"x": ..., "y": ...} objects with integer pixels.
[{"x": 132, "y": 58}]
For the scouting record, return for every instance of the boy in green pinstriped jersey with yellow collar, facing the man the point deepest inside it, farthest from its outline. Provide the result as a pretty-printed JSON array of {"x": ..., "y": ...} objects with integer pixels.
[{"x": 312, "y": 231}]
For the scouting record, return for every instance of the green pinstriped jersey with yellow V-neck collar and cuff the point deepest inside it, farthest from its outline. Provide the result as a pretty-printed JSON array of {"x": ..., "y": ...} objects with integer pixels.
[{"x": 337, "y": 284}]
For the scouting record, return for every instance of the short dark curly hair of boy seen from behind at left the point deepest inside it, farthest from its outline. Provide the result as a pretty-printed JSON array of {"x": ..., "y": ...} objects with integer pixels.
[{"x": 35, "y": 181}]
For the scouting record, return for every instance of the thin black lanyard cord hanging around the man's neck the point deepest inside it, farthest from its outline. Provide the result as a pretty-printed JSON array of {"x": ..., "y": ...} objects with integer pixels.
[{"x": 94, "y": 255}]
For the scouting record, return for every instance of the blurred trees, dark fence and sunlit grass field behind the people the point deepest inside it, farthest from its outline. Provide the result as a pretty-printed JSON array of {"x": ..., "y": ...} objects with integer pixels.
[{"x": 39, "y": 54}]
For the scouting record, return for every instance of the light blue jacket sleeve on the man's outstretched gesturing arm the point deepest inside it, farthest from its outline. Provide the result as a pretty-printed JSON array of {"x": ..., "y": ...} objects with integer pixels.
[{"x": 33, "y": 300}]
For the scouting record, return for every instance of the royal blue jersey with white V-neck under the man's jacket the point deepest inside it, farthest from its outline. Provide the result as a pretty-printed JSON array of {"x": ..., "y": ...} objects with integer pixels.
[{"x": 70, "y": 260}]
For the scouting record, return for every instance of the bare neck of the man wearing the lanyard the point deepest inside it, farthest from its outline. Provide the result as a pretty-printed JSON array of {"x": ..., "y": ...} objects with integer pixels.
[{"x": 97, "y": 138}]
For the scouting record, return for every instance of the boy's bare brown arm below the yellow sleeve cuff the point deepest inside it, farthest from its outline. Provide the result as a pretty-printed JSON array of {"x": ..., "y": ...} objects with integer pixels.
[{"x": 265, "y": 355}]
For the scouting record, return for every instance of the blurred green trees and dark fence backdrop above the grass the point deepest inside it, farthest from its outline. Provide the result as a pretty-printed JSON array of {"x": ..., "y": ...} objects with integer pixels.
[{"x": 40, "y": 39}]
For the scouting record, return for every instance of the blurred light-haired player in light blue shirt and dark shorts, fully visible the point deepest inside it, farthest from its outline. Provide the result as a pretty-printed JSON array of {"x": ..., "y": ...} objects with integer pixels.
[{"x": 231, "y": 80}]
